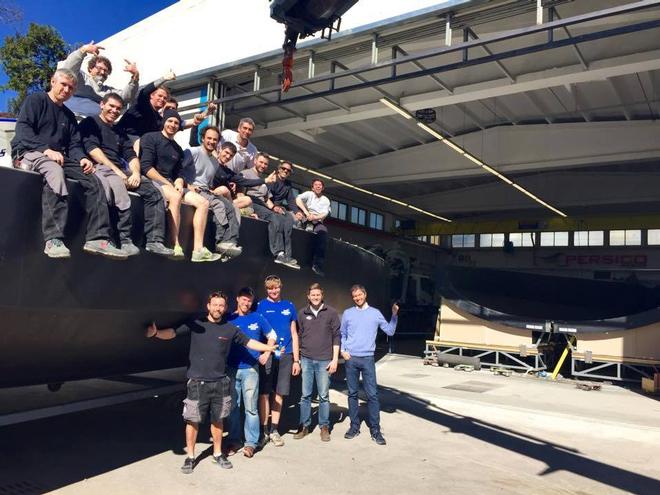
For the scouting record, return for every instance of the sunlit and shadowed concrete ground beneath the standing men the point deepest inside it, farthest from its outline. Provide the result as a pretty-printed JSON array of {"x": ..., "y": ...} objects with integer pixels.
[{"x": 448, "y": 432}]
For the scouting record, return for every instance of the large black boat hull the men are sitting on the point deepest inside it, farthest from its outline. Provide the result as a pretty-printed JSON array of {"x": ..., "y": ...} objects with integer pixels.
[{"x": 85, "y": 317}]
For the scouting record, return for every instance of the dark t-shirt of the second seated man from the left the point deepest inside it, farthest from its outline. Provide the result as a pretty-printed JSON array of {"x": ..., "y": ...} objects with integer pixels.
[{"x": 110, "y": 139}]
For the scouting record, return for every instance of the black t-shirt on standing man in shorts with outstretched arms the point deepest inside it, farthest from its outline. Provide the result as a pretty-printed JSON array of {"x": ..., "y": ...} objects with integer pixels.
[{"x": 210, "y": 344}]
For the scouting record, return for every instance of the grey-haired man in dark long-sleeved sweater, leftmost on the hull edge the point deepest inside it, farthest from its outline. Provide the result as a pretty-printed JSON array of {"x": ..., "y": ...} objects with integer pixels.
[{"x": 47, "y": 141}]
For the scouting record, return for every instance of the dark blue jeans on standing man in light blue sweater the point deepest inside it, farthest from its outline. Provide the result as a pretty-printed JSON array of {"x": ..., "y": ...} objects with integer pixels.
[{"x": 367, "y": 367}]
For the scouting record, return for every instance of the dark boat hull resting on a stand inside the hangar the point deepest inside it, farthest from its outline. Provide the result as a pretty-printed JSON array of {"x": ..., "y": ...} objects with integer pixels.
[{"x": 549, "y": 303}]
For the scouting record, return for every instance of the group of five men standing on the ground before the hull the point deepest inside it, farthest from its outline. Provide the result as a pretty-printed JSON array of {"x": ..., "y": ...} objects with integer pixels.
[{"x": 248, "y": 358}]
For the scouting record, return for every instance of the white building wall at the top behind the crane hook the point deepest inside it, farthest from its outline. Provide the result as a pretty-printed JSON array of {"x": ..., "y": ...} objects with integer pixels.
[{"x": 192, "y": 35}]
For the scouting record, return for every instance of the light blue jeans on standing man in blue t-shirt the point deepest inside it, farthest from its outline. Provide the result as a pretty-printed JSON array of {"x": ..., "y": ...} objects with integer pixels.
[{"x": 246, "y": 384}]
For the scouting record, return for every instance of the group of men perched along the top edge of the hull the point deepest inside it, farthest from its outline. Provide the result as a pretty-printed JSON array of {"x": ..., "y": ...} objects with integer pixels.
[{"x": 123, "y": 140}]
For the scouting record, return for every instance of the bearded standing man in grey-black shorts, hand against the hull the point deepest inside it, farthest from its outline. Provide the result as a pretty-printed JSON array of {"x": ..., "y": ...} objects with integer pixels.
[{"x": 209, "y": 387}]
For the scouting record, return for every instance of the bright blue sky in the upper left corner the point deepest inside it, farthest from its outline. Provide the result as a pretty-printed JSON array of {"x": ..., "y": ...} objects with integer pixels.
[{"x": 78, "y": 21}]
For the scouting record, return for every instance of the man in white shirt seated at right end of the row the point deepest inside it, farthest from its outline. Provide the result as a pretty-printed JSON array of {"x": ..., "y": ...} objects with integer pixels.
[{"x": 316, "y": 207}]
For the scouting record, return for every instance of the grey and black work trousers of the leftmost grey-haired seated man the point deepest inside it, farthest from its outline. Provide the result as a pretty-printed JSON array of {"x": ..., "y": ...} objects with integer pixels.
[{"x": 54, "y": 204}]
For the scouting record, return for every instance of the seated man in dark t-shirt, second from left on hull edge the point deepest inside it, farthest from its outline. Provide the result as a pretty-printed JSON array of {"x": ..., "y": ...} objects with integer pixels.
[{"x": 110, "y": 148}]
